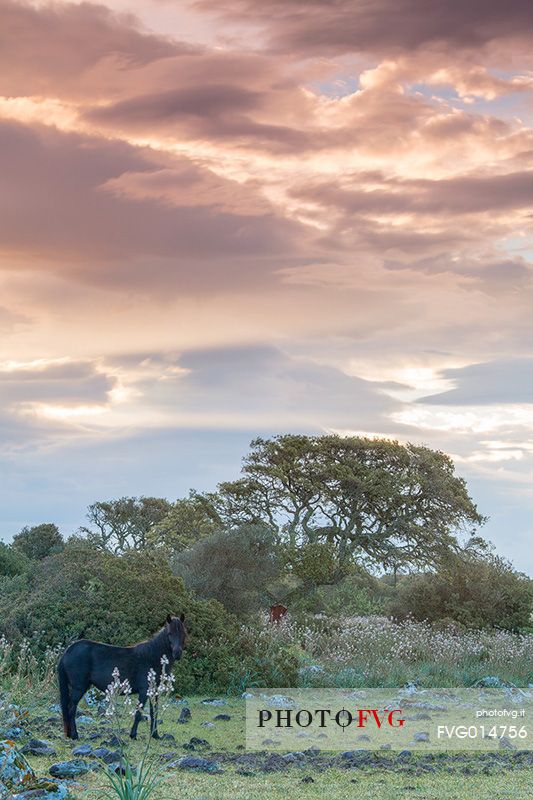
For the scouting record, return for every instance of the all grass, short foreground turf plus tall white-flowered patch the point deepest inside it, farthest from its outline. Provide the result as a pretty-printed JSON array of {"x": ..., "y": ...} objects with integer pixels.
[{"x": 369, "y": 651}]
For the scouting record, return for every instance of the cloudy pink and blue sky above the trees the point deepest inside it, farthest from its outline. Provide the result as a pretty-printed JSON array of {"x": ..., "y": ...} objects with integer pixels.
[{"x": 249, "y": 217}]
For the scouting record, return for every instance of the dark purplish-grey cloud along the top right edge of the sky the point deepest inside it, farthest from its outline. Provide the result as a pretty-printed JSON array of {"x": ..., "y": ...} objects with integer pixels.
[{"x": 317, "y": 27}]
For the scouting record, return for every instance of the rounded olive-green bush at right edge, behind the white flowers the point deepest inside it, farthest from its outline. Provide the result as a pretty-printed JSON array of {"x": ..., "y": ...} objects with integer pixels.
[{"x": 473, "y": 590}]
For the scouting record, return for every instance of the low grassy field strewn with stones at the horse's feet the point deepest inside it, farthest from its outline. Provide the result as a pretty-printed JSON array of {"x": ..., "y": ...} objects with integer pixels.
[{"x": 246, "y": 775}]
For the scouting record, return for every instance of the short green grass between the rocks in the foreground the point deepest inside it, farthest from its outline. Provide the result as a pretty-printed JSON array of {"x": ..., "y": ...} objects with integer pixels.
[{"x": 448, "y": 780}]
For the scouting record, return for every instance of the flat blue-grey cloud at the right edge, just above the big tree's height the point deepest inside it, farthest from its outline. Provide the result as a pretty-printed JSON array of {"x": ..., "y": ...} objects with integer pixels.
[{"x": 493, "y": 382}]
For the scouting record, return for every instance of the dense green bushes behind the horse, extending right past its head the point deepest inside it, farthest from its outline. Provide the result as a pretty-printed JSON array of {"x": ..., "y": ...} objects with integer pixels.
[{"x": 87, "y": 592}]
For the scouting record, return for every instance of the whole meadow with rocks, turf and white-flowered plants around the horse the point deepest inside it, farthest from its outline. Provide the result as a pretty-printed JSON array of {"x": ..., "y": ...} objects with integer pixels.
[{"x": 343, "y": 652}]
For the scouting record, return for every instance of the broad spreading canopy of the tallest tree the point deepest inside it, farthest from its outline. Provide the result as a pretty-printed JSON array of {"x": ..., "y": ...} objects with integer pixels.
[{"x": 376, "y": 501}]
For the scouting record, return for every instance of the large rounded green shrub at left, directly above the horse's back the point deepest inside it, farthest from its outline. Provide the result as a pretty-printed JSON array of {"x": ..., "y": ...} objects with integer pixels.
[{"x": 86, "y": 592}]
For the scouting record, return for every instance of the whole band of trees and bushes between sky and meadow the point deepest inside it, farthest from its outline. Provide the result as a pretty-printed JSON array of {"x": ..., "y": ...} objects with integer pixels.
[{"x": 335, "y": 527}]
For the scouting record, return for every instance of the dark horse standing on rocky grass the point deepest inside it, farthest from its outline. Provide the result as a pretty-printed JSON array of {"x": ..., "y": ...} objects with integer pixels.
[{"x": 86, "y": 663}]
